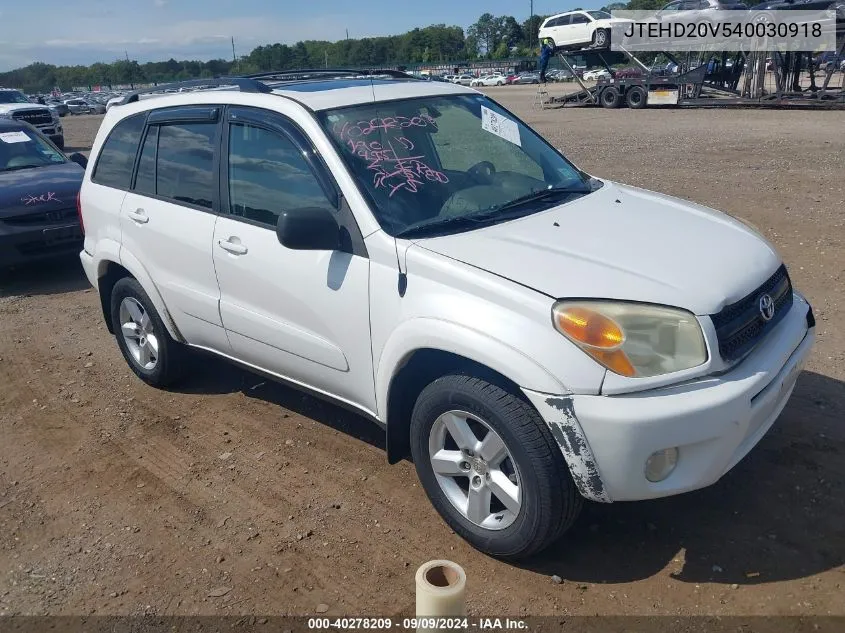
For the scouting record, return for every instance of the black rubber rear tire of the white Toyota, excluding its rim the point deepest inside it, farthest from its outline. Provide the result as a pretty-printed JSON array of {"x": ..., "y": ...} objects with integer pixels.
[{"x": 162, "y": 374}]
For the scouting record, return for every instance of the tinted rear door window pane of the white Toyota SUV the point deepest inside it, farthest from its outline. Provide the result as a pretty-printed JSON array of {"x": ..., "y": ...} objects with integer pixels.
[{"x": 185, "y": 163}]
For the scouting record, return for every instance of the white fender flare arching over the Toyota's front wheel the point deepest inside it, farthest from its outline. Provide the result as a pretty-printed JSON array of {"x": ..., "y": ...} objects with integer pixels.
[{"x": 431, "y": 333}]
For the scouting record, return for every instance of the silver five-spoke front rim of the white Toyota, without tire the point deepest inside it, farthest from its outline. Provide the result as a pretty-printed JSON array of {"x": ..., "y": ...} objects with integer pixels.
[{"x": 475, "y": 470}]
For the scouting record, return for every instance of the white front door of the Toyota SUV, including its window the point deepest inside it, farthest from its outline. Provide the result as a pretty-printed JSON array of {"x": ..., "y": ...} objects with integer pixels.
[{"x": 303, "y": 315}]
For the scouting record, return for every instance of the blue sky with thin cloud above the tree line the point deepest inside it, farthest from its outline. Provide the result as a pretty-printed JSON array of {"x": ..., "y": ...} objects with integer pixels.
[{"x": 67, "y": 32}]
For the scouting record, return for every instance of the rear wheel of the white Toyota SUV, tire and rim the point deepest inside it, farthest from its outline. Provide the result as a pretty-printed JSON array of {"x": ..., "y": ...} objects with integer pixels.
[{"x": 143, "y": 340}]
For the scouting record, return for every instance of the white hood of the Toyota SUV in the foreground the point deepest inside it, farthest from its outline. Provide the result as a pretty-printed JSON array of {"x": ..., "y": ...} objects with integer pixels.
[{"x": 622, "y": 243}]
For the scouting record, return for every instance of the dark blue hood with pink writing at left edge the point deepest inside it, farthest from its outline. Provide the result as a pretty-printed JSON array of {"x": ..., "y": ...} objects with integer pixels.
[{"x": 39, "y": 189}]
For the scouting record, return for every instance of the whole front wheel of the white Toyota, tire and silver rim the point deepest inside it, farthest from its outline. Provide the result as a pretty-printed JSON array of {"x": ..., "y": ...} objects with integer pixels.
[{"x": 490, "y": 467}]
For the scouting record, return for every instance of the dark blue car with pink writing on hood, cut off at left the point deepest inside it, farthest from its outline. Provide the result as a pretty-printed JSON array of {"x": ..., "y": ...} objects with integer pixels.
[{"x": 38, "y": 191}]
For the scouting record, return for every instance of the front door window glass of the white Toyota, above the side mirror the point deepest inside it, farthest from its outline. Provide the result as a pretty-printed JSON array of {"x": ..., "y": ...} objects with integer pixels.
[{"x": 268, "y": 174}]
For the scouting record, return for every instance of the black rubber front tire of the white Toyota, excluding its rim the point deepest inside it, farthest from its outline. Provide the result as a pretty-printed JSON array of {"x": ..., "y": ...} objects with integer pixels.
[{"x": 438, "y": 398}]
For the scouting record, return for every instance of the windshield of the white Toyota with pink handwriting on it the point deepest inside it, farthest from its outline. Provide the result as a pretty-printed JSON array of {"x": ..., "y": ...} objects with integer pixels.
[{"x": 438, "y": 165}]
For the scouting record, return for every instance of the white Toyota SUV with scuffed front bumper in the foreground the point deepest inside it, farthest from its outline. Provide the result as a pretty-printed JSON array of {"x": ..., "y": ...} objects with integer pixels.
[{"x": 530, "y": 335}]
